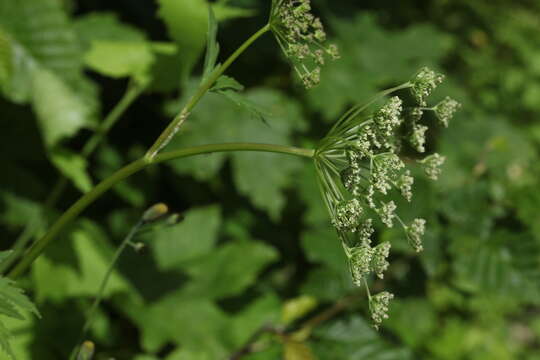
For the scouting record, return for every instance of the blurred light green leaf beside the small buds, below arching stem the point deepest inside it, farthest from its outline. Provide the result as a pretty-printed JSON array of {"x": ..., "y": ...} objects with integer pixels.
[{"x": 191, "y": 239}]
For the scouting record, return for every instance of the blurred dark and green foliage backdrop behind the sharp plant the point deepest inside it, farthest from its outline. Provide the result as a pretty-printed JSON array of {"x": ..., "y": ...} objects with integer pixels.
[{"x": 256, "y": 247}]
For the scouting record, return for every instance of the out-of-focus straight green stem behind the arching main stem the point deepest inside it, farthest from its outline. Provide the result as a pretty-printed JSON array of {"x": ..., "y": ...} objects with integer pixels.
[{"x": 132, "y": 93}]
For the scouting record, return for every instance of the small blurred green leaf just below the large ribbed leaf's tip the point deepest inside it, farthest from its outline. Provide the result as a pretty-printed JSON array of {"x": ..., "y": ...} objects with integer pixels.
[{"x": 72, "y": 166}]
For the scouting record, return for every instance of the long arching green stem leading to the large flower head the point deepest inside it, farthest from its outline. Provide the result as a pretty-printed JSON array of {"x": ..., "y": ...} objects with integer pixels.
[{"x": 70, "y": 214}]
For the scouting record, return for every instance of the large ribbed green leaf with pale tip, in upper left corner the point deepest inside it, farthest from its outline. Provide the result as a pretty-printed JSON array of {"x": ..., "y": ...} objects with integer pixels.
[{"x": 51, "y": 80}]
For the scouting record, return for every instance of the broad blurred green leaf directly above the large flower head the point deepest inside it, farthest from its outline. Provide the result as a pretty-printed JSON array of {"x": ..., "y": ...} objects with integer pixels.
[{"x": 372, "y": 57}]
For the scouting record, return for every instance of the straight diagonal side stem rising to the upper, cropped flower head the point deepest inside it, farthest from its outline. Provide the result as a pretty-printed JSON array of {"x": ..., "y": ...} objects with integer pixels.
[{"x": 177, "y": 122}]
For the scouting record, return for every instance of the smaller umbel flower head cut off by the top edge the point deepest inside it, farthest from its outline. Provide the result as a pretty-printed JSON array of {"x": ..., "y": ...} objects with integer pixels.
[{"x": 301, "y": 37}]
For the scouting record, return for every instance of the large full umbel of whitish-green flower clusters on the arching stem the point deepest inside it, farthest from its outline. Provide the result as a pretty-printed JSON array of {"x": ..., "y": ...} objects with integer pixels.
[{"x": 359, "y": 168}]
